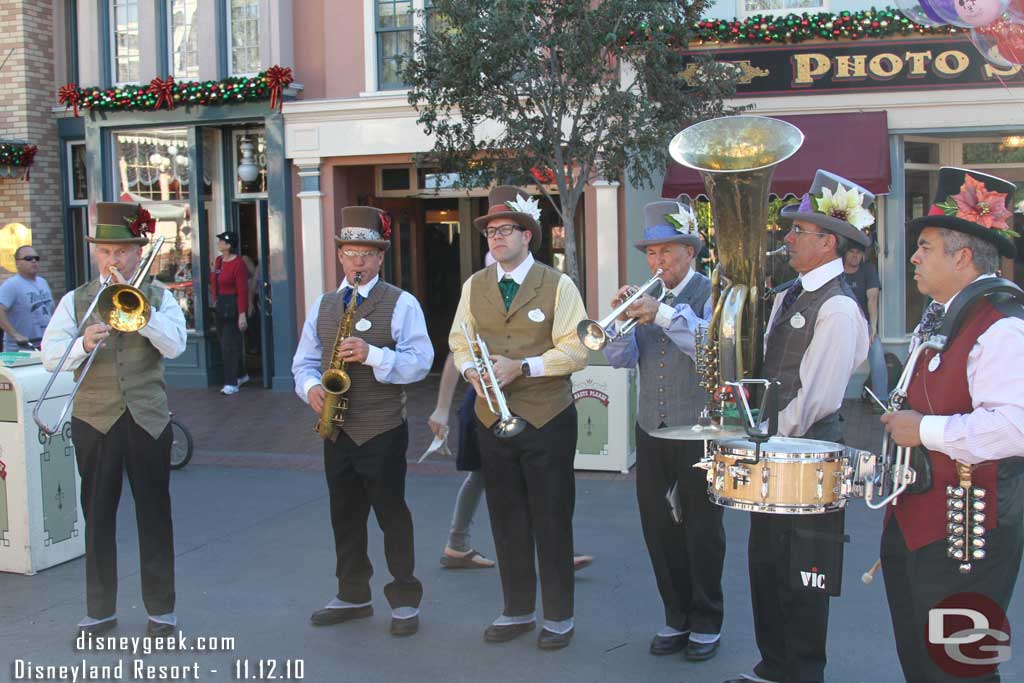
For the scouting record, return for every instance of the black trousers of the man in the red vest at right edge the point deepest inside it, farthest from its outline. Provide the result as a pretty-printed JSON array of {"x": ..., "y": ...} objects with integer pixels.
[{"x": 916, "y": 581}]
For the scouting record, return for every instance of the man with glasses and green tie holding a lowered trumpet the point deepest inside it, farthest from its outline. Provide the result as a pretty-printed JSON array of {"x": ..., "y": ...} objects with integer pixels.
[{"x": 527, "y": 316}]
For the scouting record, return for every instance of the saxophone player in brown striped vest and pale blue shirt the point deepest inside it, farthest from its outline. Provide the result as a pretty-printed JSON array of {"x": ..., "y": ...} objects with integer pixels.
[{"x": 365, "y": 462}]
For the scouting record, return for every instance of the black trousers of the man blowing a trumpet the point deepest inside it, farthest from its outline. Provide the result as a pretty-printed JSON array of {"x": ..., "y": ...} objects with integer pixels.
[{"x": 688, "y": 559}]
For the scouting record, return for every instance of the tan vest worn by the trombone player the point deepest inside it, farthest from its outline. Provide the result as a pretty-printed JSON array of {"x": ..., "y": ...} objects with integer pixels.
[{"x": 129, "y": 374}]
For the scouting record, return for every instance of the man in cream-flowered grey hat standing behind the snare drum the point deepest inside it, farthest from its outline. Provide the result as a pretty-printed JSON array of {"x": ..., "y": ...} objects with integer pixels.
[{"x": 817, "y": 337}]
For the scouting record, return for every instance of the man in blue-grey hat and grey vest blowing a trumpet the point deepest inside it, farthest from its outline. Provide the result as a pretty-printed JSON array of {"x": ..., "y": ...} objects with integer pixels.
[{"x": 688, "y": 558}]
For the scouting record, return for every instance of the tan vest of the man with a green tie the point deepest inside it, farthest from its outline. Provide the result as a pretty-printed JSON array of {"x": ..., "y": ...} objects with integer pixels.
[{"x": 515, "y": 335}]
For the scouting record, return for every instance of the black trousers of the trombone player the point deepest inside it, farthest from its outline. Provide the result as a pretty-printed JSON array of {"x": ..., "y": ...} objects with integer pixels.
[{"x": 103, "y": 460}]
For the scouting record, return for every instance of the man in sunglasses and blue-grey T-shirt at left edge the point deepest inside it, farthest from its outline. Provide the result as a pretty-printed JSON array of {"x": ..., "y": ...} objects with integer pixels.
[{"x": 26, "y": 302}]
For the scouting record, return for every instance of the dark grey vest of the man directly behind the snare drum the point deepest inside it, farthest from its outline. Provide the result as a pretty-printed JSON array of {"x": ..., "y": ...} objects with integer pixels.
[{"x": 786, "y": 346}]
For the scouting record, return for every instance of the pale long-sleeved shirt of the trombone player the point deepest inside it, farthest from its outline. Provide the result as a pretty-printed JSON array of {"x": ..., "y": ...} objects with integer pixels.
[{"x": 166, "y": 331}]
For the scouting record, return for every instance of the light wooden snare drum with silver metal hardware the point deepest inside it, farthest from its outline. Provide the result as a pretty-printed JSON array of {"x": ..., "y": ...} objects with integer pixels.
[{"x": 794, "y": 477}]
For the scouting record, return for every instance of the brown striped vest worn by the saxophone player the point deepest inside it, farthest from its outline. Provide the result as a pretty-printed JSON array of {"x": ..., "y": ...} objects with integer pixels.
[{"x": 374, "y": 408}]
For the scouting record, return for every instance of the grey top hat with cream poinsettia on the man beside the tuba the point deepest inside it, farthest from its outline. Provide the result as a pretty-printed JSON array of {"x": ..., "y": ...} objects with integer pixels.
[{"x": 837, "y": 205}]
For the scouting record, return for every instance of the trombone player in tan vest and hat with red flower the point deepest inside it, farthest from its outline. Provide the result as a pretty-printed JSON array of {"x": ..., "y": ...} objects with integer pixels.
[{"x": 120, "y": 419}]
